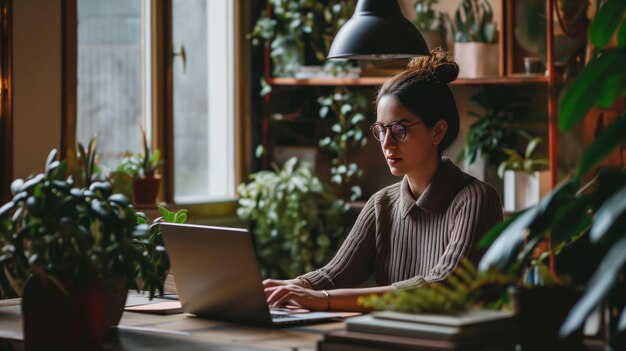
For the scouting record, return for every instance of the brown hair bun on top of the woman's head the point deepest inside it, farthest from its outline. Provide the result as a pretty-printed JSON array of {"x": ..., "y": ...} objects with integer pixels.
[{"x": 440, "y": 66}]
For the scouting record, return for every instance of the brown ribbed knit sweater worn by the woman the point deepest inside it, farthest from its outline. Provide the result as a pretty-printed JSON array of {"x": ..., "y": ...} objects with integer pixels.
[{"x": 406, "y": 242}]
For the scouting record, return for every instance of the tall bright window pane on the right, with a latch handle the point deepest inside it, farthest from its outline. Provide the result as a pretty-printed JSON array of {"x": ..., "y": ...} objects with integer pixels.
[{"x": 203, "y": 102}]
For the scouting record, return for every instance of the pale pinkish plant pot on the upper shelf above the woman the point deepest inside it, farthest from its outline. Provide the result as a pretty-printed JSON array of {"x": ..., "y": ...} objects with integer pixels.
[{"x": 477, "y": 60}]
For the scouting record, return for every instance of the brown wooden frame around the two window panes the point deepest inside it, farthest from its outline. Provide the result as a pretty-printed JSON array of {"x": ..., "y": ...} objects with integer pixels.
[{"x": 161, "y": 109}]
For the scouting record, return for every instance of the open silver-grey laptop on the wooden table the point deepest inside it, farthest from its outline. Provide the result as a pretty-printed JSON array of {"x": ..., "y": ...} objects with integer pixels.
[{"x": 217, "y": 277}]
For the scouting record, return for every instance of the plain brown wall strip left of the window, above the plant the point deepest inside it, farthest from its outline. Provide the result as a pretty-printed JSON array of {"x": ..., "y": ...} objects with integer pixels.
[{"x": 36, "y": 83}]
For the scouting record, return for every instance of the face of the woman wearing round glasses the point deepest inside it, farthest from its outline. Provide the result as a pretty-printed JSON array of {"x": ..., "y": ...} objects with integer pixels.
[{"x": 418, "y": 149}]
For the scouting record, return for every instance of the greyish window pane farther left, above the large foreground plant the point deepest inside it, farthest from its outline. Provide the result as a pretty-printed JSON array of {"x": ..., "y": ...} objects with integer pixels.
[{"x": 111, "y": 76}]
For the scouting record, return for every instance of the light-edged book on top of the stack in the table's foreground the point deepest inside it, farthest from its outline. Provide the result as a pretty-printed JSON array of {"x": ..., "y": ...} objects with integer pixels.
[{"x": 466, "y": 325}]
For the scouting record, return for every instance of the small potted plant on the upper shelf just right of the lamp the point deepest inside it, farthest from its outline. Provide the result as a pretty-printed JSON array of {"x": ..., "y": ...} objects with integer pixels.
[{"x": 430, "y": 23}]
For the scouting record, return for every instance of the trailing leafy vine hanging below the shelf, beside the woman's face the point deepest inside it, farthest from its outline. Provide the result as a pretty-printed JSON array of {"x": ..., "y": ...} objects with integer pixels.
[{"x": 349, "y": 112}]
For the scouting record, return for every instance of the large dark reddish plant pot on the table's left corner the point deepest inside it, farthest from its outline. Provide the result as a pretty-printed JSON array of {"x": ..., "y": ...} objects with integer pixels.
[{"x": 70, "y": 316}]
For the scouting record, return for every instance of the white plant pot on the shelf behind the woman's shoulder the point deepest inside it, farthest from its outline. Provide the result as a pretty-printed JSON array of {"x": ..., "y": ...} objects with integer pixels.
[{"x": 523, "y": 190}]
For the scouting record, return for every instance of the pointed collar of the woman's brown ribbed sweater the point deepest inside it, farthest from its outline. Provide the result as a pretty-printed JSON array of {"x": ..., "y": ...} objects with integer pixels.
[{"x": 448, "y": 175}]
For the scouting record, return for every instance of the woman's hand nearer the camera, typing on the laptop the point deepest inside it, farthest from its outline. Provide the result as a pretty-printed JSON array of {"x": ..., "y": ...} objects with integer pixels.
[{"x": 283, "y": 295}]
